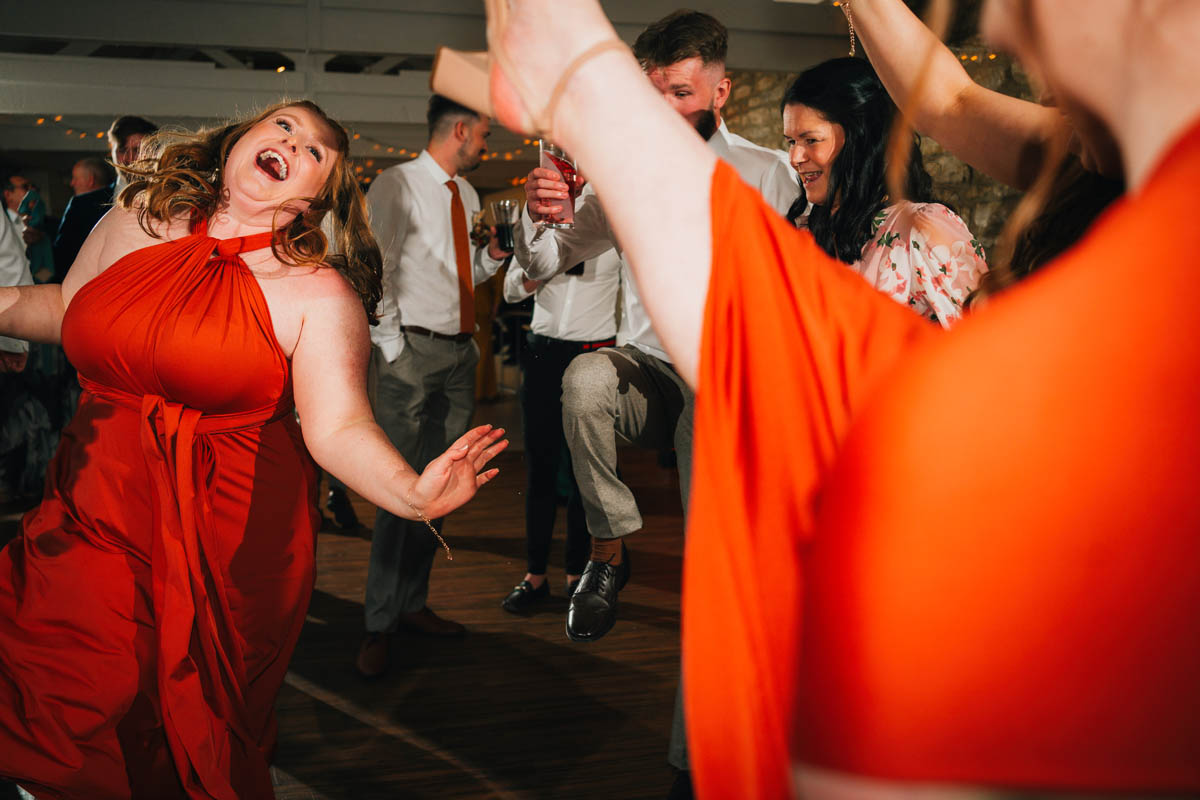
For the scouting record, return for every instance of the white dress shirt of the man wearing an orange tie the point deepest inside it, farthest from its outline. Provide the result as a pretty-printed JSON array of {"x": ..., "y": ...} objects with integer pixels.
[{"x": 410, "y": 207}]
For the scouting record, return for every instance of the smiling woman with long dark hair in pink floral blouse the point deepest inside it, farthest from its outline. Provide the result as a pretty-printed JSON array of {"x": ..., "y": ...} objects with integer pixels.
[{"x": 837, "y": 121}]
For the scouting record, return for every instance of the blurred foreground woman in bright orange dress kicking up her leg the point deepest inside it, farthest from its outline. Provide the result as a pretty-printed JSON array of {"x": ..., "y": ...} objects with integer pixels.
[{"x": 987, "y": 538}]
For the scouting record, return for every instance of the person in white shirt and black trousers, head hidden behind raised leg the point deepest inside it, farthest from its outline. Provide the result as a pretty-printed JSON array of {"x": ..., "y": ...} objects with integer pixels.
[{"x": 574, "y": 312}]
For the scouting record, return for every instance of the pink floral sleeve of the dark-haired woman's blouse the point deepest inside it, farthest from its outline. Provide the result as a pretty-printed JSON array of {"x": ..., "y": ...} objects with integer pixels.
[{"x": 922, "y": 255}]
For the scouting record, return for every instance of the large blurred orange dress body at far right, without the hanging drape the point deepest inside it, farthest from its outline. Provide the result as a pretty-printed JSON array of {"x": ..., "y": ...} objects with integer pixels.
[{"x": 1015, "y": 604}]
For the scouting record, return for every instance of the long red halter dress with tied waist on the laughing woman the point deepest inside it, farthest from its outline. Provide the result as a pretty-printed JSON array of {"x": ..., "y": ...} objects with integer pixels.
[{"x": 151, "y": 606}]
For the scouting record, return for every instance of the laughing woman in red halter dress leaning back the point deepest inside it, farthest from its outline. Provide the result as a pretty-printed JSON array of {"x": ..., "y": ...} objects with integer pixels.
[{"x": 151, "y": 606}]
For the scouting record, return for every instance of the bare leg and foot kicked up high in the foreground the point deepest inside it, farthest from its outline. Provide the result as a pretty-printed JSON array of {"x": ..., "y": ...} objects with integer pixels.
[{"x": 647, "y": 165}]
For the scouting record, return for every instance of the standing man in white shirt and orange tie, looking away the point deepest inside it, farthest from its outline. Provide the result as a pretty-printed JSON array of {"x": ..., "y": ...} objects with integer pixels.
[{"x": 424, "y": 353}]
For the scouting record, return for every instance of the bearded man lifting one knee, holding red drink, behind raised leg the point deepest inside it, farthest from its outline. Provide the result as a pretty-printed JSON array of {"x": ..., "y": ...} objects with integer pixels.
[{"x": 633, "y": 390}]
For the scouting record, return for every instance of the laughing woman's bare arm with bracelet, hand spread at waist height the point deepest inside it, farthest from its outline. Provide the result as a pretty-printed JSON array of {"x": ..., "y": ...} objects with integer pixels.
[{"x": 329, "y": 377}]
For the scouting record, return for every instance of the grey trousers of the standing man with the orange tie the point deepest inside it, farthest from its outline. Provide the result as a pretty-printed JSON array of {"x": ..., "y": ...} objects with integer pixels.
[{"x": 424, "y": 401}]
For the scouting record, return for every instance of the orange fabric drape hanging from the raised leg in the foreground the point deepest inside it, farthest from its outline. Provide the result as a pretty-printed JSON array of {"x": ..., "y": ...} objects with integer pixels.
[{"x": 794, "y": 342}]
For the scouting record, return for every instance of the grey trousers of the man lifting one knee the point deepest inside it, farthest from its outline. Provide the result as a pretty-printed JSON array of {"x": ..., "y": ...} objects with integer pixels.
[{"x": 644, "y": 400}]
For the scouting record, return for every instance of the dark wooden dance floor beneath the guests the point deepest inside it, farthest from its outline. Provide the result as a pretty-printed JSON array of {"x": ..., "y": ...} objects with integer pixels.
[{"x": 512, "y": 711}]
